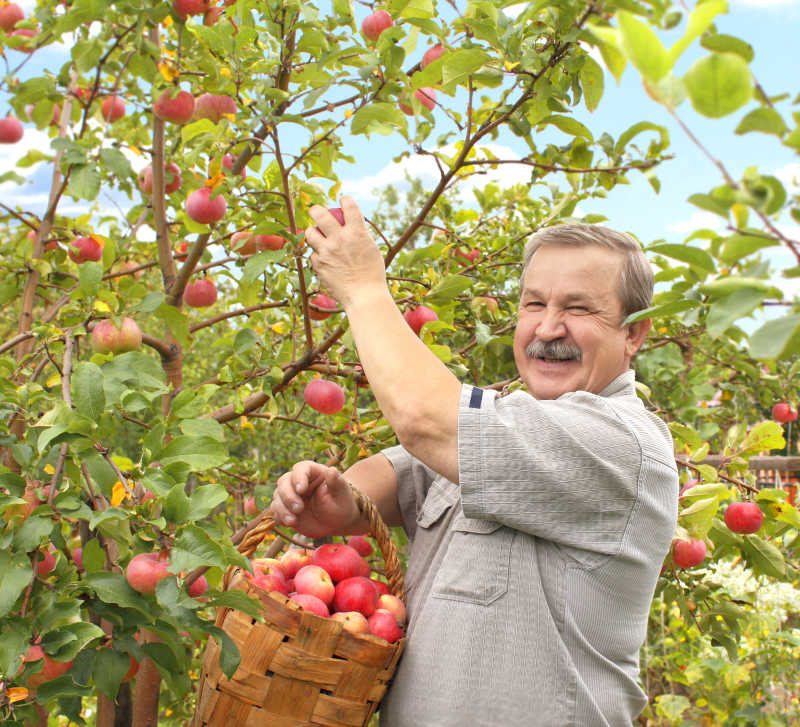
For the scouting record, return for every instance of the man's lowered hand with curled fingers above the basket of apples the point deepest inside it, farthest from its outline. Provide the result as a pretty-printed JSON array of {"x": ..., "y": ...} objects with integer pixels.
[{"x": 316, "y": 501}]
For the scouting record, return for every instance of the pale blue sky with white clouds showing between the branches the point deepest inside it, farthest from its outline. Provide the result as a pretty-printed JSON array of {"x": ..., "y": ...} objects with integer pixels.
[{"x": 771, "y": 26}]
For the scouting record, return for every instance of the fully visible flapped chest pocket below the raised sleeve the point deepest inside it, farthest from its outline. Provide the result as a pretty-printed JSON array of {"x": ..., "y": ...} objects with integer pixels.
[{"x": 476, "y": 566}]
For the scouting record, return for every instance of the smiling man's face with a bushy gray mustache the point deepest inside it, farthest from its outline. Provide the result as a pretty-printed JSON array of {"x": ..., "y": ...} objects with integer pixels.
[{"x": 568, "y": 335}]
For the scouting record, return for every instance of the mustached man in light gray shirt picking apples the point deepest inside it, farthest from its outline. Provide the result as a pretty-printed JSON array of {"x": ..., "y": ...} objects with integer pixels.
[{"x": 538, "y": 521}]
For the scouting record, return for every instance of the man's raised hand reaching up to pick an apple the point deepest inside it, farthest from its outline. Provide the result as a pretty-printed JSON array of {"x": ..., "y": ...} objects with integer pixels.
[{"x": 346, "y": 259}]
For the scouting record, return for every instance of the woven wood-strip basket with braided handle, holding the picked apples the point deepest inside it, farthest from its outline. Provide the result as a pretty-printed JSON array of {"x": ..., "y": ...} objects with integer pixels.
[{"x": 297, "y": 669}]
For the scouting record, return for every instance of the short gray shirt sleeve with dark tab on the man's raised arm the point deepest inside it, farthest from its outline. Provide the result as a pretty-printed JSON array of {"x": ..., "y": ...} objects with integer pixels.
[{"x": 566, "y": 470}]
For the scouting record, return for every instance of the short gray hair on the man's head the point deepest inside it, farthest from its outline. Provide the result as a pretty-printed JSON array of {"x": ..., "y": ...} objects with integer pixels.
[{"x": 635, "y": 284}]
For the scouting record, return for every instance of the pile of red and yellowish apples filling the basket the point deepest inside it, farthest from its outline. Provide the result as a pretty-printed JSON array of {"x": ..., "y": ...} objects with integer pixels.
[{"x": 333, "y": 581}]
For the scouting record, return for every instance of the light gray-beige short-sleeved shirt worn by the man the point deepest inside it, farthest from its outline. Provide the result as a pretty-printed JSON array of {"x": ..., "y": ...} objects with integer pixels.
[{"x": 529, "y": 586}]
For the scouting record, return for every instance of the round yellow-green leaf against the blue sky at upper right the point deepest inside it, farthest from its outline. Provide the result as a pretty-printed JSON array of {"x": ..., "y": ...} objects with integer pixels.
[{"x": 719, "y": 84}]
